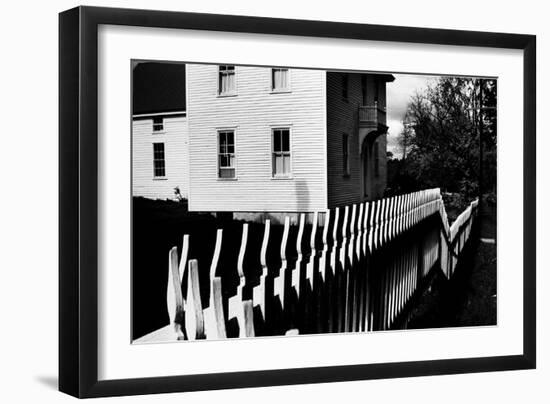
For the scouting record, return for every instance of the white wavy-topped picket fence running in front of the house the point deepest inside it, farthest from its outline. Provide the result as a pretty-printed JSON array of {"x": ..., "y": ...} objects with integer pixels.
[{"x": 357, "y": 271}]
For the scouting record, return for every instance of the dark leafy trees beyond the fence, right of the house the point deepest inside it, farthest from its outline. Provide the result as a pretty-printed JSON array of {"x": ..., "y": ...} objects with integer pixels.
[{"x": 440, "y": 139}]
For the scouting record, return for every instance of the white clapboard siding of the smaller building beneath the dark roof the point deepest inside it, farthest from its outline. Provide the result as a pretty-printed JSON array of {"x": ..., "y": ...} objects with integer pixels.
[{"x": 175, "y": 141}]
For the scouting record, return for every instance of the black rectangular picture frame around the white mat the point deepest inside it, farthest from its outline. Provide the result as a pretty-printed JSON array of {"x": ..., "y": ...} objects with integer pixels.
[{"x": 78, "y": 203}]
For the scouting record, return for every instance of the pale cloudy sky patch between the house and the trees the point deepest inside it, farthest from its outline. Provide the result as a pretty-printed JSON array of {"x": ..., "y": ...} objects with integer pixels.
[{"x": 398, "y": 95}]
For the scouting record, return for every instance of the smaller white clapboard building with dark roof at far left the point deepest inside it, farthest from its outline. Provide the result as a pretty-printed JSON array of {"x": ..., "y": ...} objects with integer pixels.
[{"x": 159, "y": 131}]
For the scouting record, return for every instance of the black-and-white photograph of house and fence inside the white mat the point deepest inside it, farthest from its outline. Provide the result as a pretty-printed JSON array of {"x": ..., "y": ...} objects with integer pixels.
[{"x": 282, "y": 201}]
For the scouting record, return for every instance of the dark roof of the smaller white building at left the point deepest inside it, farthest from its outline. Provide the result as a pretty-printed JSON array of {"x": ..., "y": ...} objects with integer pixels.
[{"x": 158, "y": 87}]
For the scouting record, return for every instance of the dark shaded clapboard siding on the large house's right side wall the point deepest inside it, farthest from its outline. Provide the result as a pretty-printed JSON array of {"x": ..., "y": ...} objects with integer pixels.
[{"x": 342, "y": 118}]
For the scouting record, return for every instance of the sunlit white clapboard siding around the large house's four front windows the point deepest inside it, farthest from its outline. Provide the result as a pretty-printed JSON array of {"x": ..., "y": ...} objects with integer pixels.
[{"x": 252, "y": 113}]
